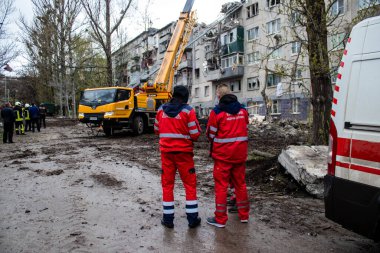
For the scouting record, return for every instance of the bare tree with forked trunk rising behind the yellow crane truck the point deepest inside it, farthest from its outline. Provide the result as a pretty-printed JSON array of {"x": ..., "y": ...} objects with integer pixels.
[{"x": 99, "y": 14}]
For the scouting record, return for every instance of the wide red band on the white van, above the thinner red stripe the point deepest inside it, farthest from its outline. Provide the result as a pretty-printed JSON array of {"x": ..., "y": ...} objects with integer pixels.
[{"x": 366, "y": 150}]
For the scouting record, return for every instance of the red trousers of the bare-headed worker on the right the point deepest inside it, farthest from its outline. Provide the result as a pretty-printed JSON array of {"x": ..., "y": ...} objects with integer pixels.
[{"x": 223, "y": 173}]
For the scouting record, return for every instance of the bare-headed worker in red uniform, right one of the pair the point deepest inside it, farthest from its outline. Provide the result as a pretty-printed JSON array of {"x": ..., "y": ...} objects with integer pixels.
[{"x": 227, "y": 130}]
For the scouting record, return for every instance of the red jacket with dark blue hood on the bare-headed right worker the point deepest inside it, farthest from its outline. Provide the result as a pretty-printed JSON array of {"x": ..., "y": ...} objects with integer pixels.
[{"x": 227, "y": 130}]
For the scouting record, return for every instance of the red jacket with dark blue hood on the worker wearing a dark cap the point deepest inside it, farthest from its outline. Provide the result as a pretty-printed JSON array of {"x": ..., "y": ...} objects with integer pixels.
[{"x": 177, "y": 126}]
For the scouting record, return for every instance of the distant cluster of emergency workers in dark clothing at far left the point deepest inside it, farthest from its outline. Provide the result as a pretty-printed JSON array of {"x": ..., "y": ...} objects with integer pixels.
[{"x": 21, "y": 119}]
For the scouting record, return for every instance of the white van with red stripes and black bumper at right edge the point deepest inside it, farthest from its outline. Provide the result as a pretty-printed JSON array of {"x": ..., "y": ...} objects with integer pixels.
[{"x": 352, "y": 186}]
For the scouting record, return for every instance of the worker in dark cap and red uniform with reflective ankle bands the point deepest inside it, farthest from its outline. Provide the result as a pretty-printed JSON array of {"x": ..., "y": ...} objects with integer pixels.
[{"x": 177, "y": 127}]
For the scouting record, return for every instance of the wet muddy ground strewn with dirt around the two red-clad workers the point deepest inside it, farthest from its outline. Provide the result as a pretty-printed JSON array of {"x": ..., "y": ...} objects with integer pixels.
[{"x": 66, "y": 190}]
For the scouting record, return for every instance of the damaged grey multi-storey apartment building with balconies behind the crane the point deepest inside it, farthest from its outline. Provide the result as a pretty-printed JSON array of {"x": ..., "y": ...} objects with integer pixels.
[{"x": 257, "y": 47}]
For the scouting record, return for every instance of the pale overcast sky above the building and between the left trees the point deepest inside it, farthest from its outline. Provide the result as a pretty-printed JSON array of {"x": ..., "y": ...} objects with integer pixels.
[{"x": 161, "y": 12}]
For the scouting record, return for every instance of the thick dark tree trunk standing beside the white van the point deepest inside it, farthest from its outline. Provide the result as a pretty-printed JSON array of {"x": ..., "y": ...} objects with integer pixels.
[{"x": 319, "y": 70}]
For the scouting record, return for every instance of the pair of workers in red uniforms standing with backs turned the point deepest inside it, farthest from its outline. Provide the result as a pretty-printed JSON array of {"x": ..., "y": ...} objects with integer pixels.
[{"x": 177, "y": 127}]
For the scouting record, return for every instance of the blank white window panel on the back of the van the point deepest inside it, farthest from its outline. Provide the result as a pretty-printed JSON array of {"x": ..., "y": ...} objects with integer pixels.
[{"x": 363, "y": 101}]
